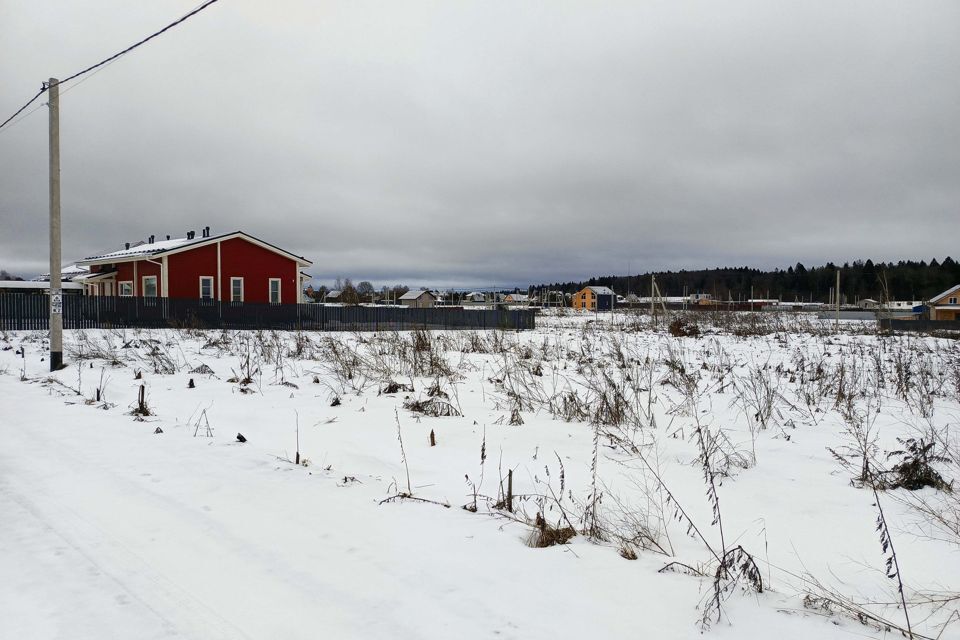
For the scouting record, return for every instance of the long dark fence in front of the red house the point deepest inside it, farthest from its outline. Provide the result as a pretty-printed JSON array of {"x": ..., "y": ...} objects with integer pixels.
[{"x": 28, "y": 311}]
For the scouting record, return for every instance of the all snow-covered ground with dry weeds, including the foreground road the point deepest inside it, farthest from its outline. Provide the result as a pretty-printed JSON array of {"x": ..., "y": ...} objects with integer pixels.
[{"x": 714, "y": 482}]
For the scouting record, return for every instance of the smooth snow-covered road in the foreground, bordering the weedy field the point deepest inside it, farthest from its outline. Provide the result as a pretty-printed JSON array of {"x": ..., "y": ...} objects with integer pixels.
[{"x": 110, "y": 531}]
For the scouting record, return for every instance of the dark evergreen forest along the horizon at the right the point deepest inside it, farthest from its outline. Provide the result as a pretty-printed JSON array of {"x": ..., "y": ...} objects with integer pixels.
[{"x": 904, "y": 280}]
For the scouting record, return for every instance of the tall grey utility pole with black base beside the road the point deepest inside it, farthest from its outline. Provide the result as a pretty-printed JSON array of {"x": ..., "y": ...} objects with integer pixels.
[{"x": 56, "y": 292}]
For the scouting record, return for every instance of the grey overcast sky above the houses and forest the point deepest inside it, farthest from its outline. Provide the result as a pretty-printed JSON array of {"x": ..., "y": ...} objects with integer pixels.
[{"x": 485, "y": 143}]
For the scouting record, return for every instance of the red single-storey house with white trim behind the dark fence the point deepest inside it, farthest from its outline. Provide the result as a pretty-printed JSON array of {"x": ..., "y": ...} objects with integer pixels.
[{"x": 233, "y": 267}]
